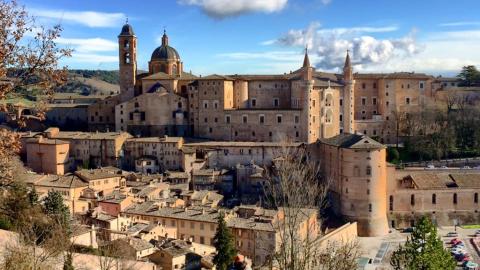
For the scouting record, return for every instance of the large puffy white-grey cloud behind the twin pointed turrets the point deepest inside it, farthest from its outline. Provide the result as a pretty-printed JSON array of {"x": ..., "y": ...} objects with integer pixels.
[{"x": 330, "y": 45}]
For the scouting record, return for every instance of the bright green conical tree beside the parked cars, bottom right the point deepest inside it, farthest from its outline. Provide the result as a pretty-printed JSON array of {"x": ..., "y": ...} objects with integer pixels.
[{"x": 423, "y": 250}]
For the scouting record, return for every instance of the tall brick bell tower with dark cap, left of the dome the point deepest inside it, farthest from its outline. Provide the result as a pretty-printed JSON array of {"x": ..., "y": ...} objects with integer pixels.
[{"x": 127, "y": 53}]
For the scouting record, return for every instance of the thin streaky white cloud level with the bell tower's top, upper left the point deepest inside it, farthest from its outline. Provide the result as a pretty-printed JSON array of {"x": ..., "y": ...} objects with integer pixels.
[{"x": 87, "y": 18}]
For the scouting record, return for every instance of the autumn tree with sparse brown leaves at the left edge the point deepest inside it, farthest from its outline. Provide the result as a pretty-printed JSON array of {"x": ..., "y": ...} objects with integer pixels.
[{"x": 29, "y": 60}]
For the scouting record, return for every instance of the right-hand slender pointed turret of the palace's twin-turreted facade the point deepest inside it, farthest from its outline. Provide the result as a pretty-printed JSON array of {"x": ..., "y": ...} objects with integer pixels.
[{"x": 348, "y": 97}]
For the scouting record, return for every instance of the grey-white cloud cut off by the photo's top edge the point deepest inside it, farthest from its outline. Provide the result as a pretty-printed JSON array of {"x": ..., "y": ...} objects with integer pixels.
[{"x": 227, "y": 8}]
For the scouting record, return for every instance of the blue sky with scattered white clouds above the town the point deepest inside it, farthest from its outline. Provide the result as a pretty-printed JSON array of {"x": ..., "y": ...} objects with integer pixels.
[{"x": 270, "y": 36}]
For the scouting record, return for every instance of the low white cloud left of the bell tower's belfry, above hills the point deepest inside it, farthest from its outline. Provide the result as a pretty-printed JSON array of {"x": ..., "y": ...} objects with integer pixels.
[{"x": 88, "y": 44}]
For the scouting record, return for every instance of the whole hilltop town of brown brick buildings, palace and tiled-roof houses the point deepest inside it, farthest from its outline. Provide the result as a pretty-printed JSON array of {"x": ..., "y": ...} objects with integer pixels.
[{"x": 153, "y": 167}]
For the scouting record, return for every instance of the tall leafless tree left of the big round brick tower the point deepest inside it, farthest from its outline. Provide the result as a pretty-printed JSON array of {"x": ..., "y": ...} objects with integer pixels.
[{"x": 296, "y": 189}]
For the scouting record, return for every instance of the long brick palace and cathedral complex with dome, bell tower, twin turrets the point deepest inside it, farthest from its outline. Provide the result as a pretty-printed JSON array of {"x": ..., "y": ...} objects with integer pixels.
[{"x": 303, "y": 105}]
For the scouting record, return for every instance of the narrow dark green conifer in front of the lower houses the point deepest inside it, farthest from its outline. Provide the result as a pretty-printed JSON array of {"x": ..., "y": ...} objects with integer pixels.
[{"x": 225, "y": 245}]
